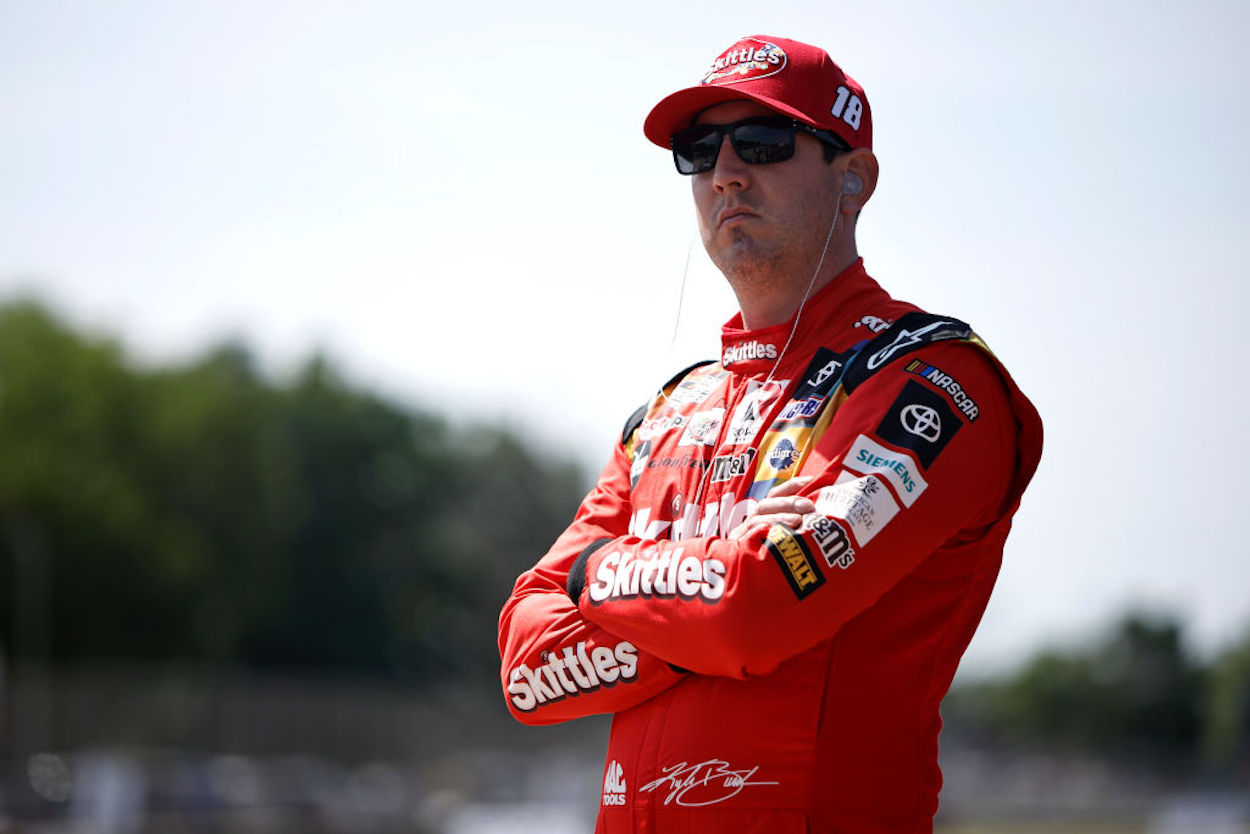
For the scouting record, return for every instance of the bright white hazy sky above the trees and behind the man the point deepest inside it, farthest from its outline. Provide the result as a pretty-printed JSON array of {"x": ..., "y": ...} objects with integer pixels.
[{"x": 458, "y": 206}]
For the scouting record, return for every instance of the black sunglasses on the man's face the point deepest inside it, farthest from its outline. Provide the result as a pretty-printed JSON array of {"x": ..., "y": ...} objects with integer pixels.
[{"x": 761, "y": 141}]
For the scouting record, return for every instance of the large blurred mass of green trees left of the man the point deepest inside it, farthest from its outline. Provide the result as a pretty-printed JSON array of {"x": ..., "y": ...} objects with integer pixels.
[{"x": 206, "y": 513}]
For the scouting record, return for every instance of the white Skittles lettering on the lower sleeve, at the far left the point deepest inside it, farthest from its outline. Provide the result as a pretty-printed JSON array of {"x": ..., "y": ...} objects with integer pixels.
[{"x": 572, "y": 671}]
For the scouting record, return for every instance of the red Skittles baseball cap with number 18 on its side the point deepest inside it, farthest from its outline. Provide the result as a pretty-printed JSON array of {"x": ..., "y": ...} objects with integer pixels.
[{"x": 792, "y": 78}]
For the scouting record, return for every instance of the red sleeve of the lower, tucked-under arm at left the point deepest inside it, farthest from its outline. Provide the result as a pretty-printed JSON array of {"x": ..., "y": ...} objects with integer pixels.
[{"x": 557, "y": 666}]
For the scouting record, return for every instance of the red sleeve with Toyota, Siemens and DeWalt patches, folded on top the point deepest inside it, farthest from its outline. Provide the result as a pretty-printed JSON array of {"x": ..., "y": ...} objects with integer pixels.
[{"x": 886, "y": 503}]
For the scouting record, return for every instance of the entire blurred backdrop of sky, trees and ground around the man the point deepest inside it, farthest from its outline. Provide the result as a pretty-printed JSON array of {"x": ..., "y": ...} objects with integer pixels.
[{"x": 318, "y": 319}]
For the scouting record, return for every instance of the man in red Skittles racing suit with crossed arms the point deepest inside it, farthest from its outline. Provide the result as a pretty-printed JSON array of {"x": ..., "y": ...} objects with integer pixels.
[{"x": 774, "y": 580}]
